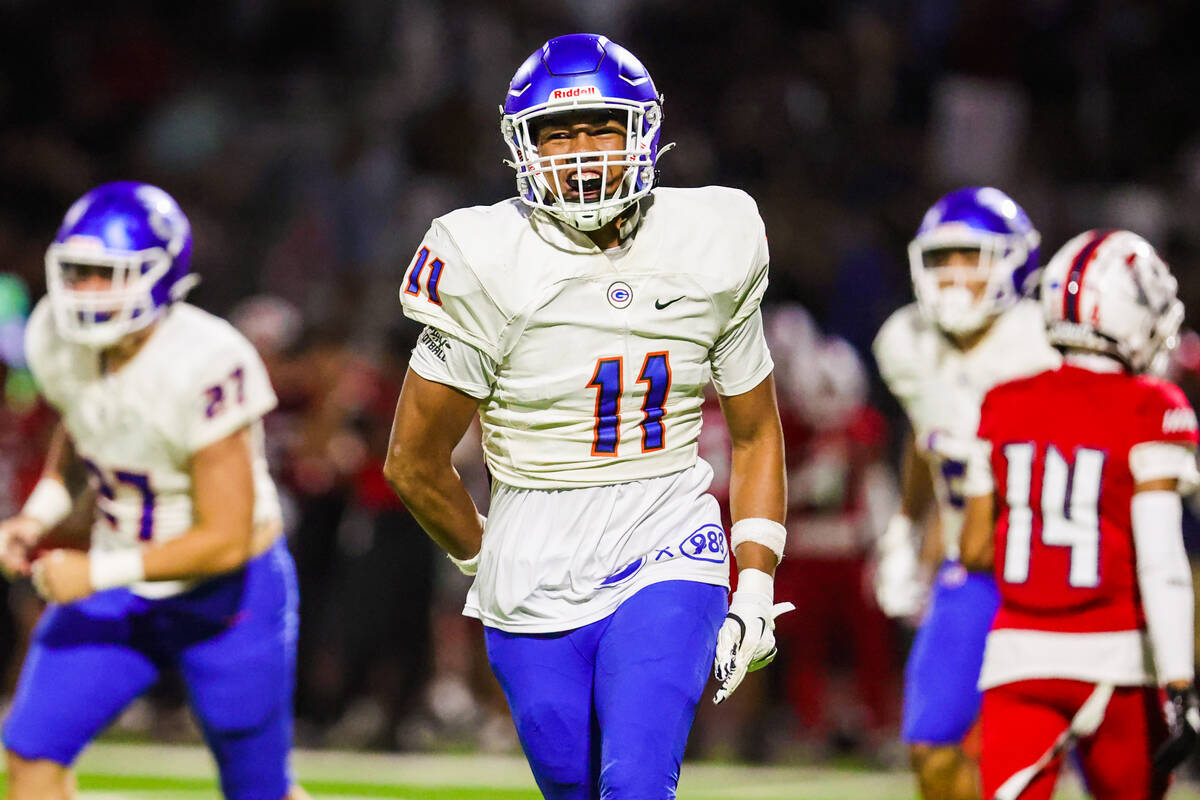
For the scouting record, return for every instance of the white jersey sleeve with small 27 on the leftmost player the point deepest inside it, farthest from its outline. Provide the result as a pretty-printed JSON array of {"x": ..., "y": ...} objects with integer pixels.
[{"x": 230, "y": 393}]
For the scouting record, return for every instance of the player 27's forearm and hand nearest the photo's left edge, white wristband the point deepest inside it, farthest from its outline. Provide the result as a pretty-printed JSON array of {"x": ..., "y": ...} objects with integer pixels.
[{"x": 49, "y": 506}]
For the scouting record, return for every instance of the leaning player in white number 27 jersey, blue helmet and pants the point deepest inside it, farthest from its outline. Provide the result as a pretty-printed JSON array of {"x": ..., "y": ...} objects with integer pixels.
[{"x": 163, "y": 404}]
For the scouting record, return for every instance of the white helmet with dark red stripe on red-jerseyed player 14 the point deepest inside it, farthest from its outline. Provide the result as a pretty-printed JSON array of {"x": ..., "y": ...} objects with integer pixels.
[{"x": 1109, "y": 292}]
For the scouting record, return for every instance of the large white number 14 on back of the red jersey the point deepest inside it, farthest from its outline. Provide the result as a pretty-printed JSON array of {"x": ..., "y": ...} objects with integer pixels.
[{"x": 1071, "y": 496}]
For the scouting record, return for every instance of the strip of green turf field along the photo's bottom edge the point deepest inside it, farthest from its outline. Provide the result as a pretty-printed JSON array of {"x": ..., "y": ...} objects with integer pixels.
[{"x": 121, "y": 772}]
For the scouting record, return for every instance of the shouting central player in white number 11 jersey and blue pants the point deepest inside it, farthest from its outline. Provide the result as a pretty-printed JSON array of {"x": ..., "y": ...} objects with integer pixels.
[{"x": 583, "y": 321}]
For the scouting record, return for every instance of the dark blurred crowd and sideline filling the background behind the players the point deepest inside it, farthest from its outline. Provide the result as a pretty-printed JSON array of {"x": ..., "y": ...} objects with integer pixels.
[{"x": 311, "y": 142}]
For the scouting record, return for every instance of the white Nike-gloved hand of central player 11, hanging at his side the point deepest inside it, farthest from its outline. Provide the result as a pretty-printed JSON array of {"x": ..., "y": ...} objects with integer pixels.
[{"x": 747, "y": 640}]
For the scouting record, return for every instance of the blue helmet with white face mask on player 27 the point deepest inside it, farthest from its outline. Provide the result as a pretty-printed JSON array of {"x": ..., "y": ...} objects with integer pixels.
[{"x": 119, "y": 261}]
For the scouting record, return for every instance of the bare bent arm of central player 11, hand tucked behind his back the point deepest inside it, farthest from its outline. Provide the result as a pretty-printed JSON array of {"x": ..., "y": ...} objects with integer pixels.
[{"x": 431, "y": 418}]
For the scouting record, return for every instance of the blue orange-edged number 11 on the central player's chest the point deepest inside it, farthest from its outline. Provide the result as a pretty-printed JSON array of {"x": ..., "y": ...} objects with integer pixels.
[{"x": 608, "y": 382}]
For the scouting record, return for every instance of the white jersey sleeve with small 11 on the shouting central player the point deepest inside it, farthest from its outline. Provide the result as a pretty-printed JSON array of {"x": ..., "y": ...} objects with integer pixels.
[{"x": 442, "y": 290}]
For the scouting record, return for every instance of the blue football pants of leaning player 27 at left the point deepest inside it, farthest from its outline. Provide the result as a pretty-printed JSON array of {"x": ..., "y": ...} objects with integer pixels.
[{"x": 233, "y": 640}]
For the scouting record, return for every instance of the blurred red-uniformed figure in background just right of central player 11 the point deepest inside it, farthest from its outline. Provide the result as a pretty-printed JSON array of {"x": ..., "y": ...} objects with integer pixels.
[{"x": 841, "y": 495}]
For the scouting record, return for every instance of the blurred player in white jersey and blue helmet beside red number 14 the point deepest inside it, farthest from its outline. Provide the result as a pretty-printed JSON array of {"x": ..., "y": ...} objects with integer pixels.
[{"x": 974, "y": 260}]
